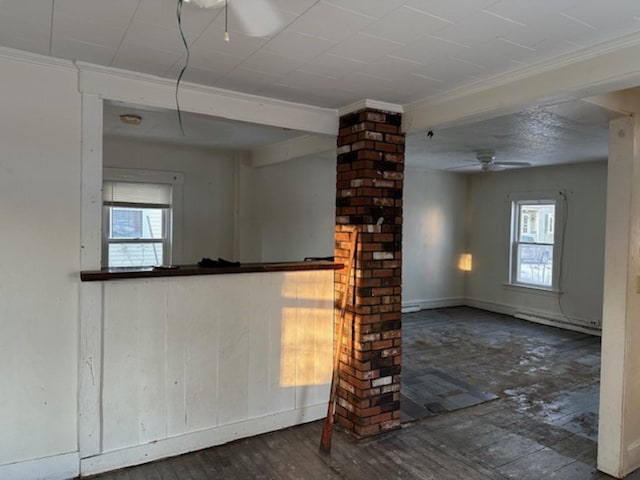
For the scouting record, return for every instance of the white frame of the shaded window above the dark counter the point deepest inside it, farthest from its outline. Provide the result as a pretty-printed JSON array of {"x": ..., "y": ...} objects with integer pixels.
[{"x": 172, "y": 217}]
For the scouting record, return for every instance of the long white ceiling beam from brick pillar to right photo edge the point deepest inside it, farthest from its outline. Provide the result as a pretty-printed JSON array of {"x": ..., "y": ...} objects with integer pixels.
[{"x": 604, "y": 68}]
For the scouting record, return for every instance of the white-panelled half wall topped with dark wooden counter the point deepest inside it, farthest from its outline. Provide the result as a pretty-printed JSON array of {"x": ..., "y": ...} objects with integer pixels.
[{"x": 175, "y": 362}]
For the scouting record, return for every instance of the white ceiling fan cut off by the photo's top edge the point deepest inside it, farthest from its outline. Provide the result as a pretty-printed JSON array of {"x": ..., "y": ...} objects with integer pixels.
[{"x": 257, "y": 18}]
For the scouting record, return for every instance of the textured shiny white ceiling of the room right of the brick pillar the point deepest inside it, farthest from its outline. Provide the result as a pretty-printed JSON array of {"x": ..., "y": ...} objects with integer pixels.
[{"x": 568, "y": 132}]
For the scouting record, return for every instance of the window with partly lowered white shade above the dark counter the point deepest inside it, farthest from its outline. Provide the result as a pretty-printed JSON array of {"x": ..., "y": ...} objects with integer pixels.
[{"x": 138, "y": 219}]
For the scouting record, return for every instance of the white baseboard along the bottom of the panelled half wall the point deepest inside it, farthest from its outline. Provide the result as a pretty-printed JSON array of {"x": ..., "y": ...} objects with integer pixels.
[{"x": 191, "y": 442}]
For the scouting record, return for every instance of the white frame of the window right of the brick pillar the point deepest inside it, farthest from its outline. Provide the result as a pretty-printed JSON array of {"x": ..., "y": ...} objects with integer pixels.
[{"x": 546, "y": 197}]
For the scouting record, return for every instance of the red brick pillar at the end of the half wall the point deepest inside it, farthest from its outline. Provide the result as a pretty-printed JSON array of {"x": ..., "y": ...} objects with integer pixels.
[{"x": 369, "y": 196}]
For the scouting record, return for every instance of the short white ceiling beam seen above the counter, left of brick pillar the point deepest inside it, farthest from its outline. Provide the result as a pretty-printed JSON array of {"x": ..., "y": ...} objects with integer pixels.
[{"x": 290, "y": 149}]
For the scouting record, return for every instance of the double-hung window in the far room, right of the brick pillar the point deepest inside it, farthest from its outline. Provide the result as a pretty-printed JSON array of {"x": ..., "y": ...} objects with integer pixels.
[{"x": 533, "y": 241}]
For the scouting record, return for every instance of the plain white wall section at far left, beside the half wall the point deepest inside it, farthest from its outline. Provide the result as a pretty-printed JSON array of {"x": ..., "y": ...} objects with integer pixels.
[{"x": 39, "y": 262}]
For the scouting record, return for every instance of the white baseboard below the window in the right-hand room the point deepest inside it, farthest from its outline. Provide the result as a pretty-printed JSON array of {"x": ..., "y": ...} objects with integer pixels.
[{"x": 537, "y": 316}]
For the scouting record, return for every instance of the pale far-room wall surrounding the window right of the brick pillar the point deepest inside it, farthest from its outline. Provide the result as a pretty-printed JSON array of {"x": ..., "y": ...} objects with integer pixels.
[{"x": 489, "y": 222}]
